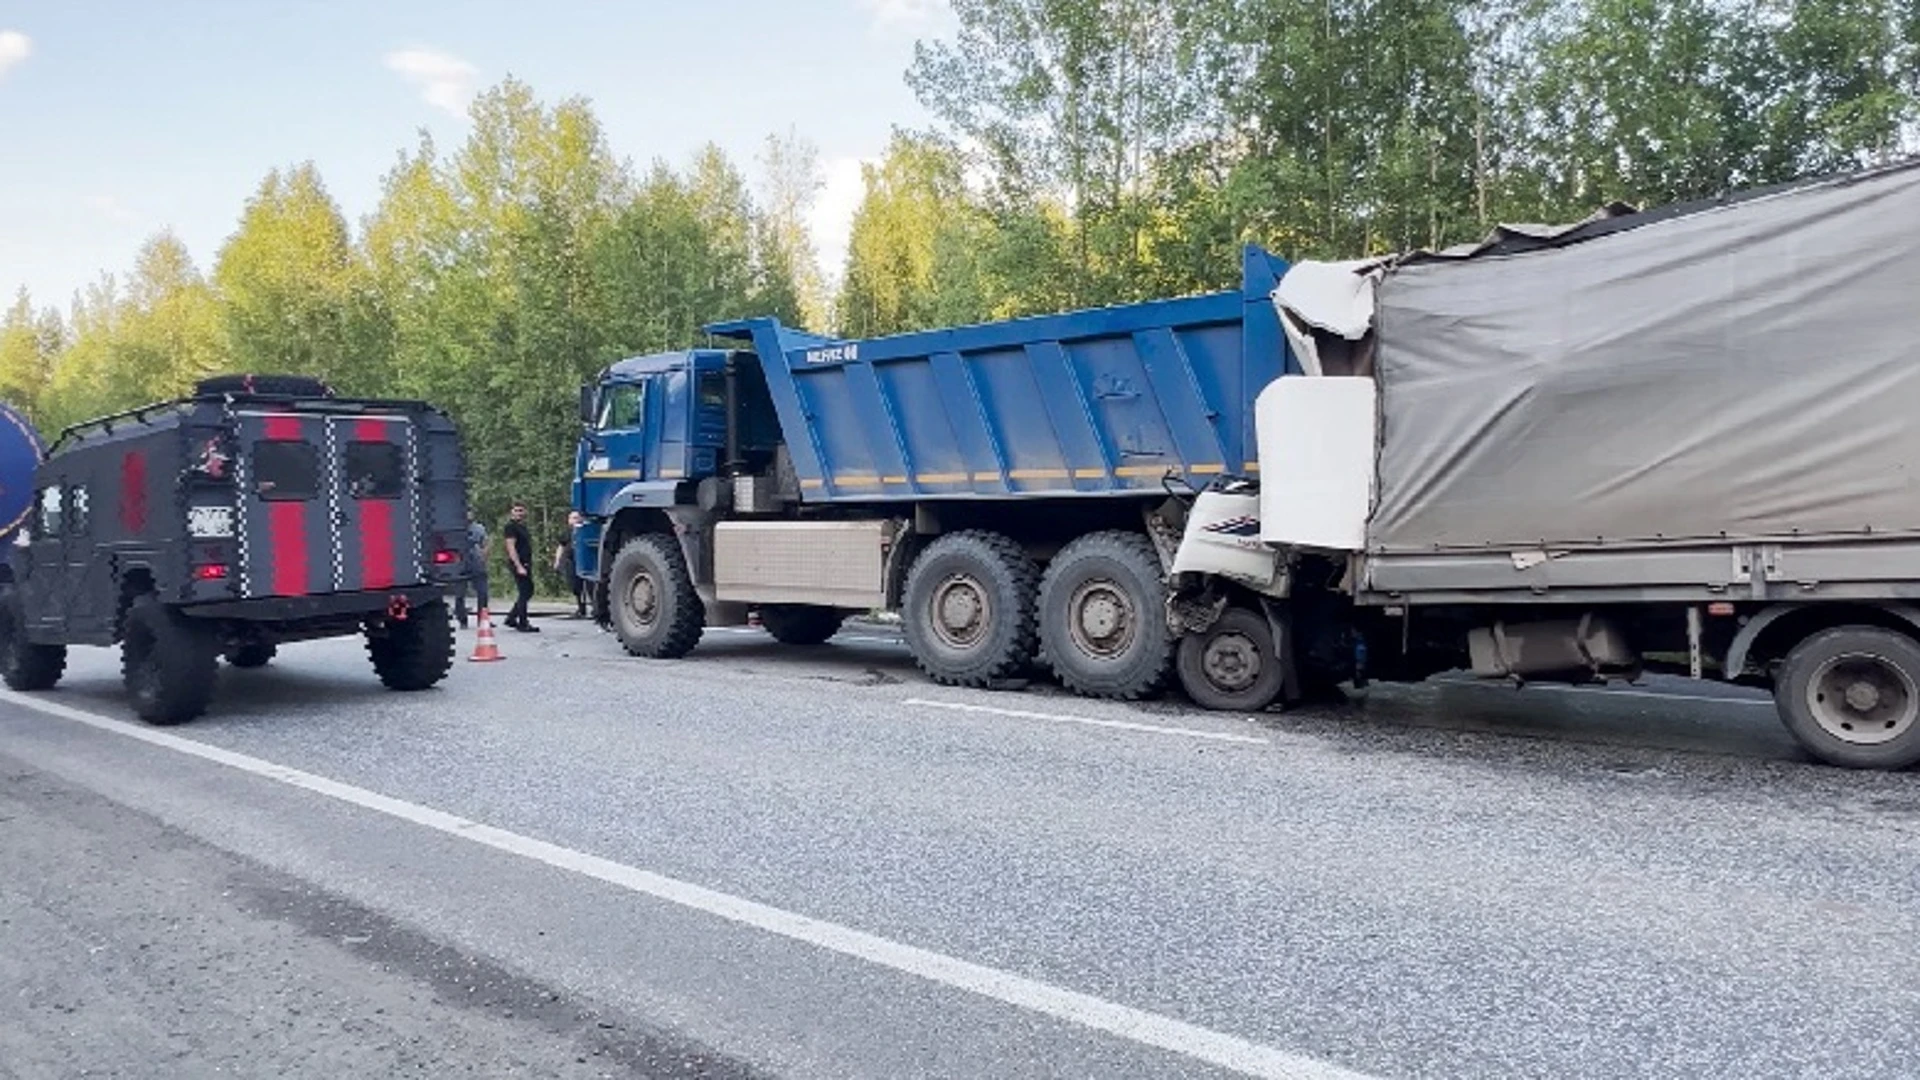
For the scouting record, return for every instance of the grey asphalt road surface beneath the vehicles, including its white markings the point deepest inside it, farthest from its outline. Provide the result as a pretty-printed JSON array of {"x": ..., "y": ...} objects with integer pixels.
[{"x": 771, "y": 862}]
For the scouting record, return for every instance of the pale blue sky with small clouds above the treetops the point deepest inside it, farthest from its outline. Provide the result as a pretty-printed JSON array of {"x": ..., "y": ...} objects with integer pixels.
[{"x": 122, "y": 118}]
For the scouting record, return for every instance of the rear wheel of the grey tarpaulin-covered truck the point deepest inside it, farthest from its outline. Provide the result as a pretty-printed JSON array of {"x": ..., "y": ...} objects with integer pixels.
[{"x": 1852, "y": 697}]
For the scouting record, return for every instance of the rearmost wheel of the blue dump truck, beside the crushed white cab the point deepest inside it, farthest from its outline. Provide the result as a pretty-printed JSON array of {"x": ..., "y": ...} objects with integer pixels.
[{"x": 1105, "y": 618}]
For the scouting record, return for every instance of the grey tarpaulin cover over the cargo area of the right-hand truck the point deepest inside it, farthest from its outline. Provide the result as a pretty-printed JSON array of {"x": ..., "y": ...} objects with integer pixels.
[{"x": 1750, "y": 370}]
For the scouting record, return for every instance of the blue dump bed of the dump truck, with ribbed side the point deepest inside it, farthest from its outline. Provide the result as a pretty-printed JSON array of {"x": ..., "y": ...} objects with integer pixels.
[{"x": 1099, "y": 403}]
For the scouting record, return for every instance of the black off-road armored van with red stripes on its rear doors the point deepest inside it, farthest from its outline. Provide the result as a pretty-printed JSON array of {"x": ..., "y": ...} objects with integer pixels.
[{"x": 260, "y": 510}]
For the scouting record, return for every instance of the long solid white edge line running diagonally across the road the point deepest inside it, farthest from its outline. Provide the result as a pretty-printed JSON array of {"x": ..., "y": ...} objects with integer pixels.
[{"x": 1005, "y": 987}]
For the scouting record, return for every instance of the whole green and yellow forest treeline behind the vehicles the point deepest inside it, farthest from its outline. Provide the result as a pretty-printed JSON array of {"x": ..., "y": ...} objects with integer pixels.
[{"x": 1084, "y": 153}]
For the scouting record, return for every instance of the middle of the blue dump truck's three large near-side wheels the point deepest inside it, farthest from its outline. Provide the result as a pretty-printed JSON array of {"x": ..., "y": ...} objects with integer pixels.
[{"x": 969, "y": 610}]
